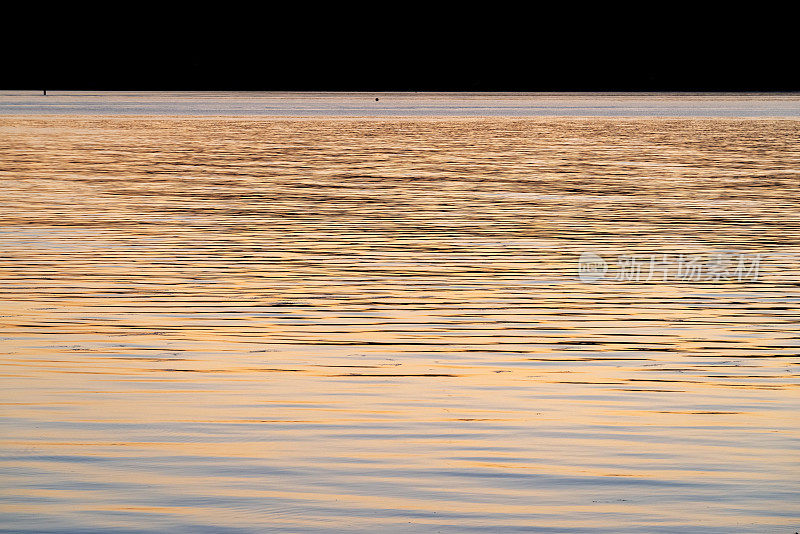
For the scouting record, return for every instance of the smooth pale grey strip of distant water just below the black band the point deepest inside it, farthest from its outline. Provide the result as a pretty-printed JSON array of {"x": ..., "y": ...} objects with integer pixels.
[{"x": 399, "y": 104}]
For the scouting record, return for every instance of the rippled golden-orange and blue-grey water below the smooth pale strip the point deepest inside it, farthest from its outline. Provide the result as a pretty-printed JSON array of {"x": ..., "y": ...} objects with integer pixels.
[{"x": 320, "y": 324}]
